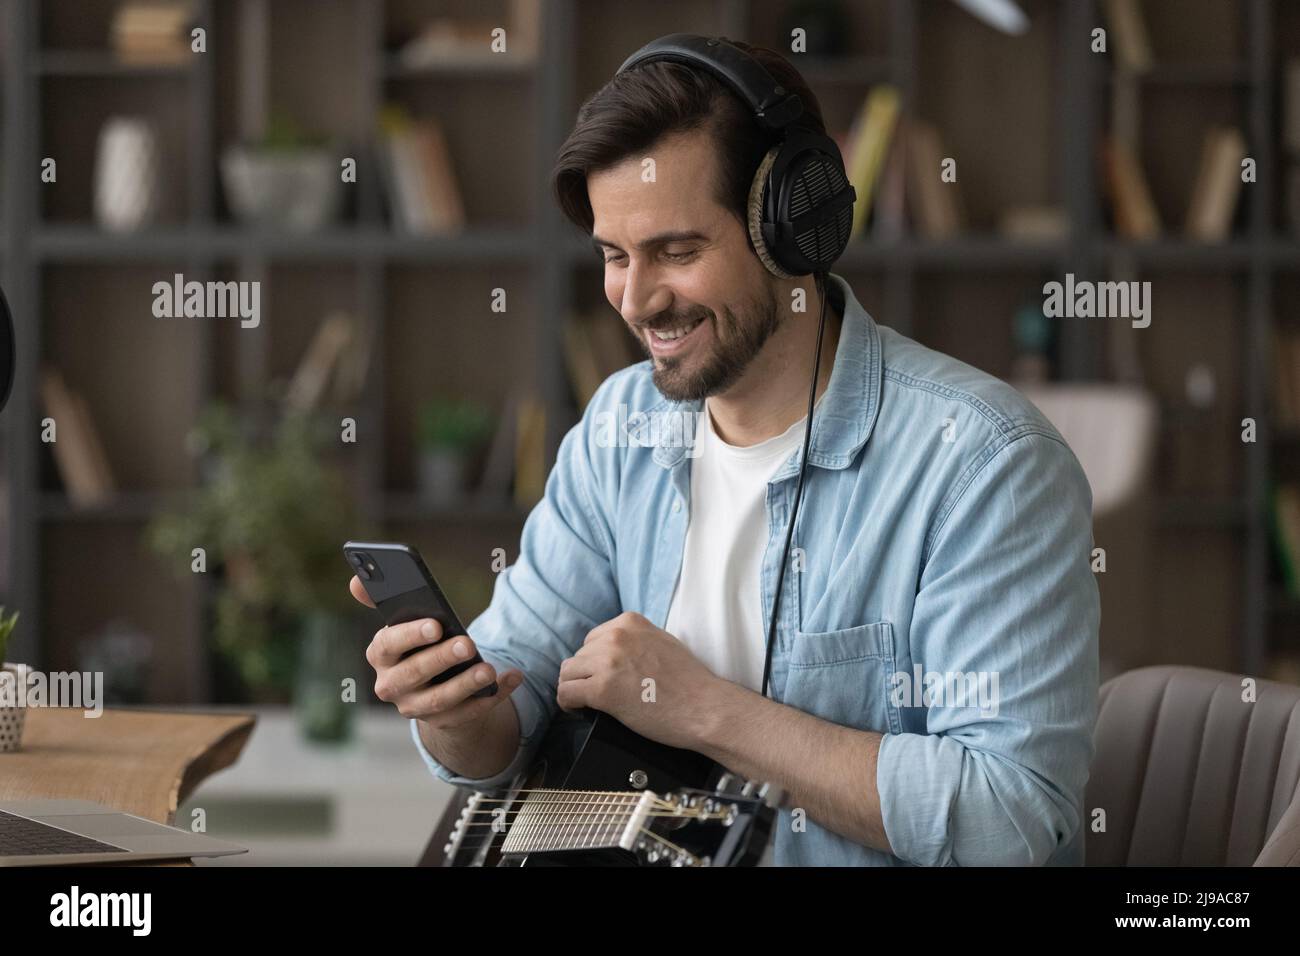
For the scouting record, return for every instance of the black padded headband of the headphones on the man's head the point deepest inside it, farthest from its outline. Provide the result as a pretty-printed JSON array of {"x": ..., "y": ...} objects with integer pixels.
[{"x": 774, "y": 106}]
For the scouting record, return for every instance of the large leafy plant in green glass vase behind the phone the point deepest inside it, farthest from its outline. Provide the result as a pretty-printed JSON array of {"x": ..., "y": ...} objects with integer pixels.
[{"x": 272, "y": 516}]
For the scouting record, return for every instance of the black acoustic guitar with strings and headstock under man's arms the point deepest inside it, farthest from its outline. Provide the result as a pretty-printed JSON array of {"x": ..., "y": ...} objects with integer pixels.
[{"x": 601, "y": 795}]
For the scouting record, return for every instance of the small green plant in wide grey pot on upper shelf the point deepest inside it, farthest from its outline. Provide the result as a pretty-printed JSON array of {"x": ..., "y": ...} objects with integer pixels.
[{"x": 287, "y": 180}]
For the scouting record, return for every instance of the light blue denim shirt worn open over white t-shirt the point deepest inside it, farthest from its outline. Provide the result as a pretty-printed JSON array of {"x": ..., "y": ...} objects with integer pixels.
[{"x": 946, "y": 530}]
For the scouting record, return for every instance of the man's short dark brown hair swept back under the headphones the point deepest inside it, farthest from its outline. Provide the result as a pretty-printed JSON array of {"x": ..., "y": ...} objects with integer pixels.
[{"x": 638, "y": 109}]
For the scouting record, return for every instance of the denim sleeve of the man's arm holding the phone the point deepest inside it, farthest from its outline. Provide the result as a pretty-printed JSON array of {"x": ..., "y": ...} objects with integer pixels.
[{"x": 545, "y": 604}]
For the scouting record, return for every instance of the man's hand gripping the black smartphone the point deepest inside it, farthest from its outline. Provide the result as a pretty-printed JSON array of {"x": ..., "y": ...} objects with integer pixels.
[{"x": 404, "y": 672}]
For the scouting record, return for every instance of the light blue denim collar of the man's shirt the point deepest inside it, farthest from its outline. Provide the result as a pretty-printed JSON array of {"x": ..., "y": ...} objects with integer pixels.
[{"x": 848, "y": 413}]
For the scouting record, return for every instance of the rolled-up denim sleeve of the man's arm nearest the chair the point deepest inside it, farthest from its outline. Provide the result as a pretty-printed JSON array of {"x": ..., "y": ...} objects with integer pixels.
[{"x": 1007, "y": 592}]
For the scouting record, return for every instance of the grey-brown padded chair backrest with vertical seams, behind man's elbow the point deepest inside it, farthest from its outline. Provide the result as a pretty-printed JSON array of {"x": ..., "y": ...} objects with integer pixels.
[{"x": 1189, "y": 773}]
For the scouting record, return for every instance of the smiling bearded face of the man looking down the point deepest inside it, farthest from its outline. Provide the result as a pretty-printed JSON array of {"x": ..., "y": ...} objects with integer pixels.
[{"x": 675, "y": 262}]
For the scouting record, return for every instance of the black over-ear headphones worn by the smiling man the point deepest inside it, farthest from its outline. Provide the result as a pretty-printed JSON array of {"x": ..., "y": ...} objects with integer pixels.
[{"x": 801, "y": 202}]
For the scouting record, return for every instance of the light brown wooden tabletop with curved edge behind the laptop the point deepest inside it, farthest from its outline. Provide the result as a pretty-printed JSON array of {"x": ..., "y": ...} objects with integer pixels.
[{"x": 138, "y": 762}]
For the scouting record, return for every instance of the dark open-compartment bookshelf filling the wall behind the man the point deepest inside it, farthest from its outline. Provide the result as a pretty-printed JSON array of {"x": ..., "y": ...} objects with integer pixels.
[{"x": 913, "y": 285}]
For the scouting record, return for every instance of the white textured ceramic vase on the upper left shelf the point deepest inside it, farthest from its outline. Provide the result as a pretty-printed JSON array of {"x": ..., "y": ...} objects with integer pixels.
[{"x": 128, "y": 175}]
